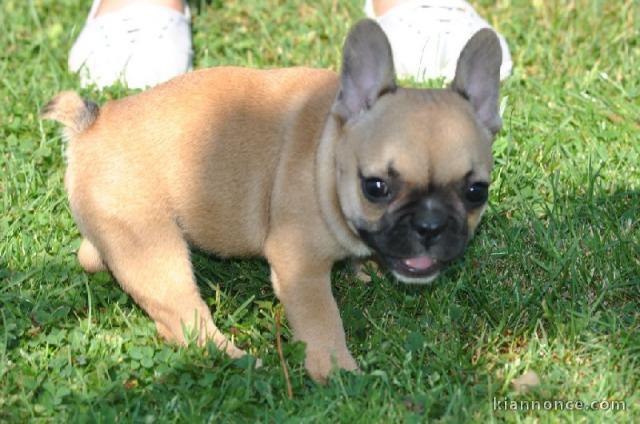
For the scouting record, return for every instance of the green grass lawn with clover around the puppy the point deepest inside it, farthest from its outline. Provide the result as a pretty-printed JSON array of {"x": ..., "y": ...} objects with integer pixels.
[{"x": 550, "y": 283}]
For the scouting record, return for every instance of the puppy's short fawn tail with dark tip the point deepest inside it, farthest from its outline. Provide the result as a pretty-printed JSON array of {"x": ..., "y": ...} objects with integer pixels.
[{"x": 74, "y": 112}]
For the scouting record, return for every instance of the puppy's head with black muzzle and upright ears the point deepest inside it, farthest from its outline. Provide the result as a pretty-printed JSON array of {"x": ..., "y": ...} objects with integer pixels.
[{"x": 413, "y": 165}]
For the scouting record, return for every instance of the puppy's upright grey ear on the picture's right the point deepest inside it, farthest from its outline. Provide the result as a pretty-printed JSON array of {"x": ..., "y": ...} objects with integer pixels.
[{"x": 478, "y": 77}]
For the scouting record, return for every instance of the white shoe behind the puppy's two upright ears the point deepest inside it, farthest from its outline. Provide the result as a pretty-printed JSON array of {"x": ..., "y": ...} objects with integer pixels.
[{"x": 427, "y": 36}]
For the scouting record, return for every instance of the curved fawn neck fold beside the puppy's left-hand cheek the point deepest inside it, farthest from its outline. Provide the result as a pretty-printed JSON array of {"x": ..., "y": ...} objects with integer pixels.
[{"x": 327, "y": 191}]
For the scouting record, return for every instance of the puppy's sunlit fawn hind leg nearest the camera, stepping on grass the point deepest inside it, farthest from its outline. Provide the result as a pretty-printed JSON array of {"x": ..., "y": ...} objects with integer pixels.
[{"x": 151, "y": 262}]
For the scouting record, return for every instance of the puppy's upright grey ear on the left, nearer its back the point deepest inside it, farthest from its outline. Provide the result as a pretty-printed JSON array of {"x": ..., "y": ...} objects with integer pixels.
[{"x": 367, "y": 70}]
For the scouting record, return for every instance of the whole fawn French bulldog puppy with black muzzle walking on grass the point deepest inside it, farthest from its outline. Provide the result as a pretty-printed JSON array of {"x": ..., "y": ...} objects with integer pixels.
[{"x": 301, "y": 166}]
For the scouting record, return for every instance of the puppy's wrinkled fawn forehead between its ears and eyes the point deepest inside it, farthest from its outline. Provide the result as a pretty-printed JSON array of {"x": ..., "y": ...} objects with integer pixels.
[{"x": 426, "y": 136}]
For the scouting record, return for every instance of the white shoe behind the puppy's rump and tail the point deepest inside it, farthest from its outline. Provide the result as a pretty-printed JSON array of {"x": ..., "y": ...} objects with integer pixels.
[{"x": 140, "y": 45}]
